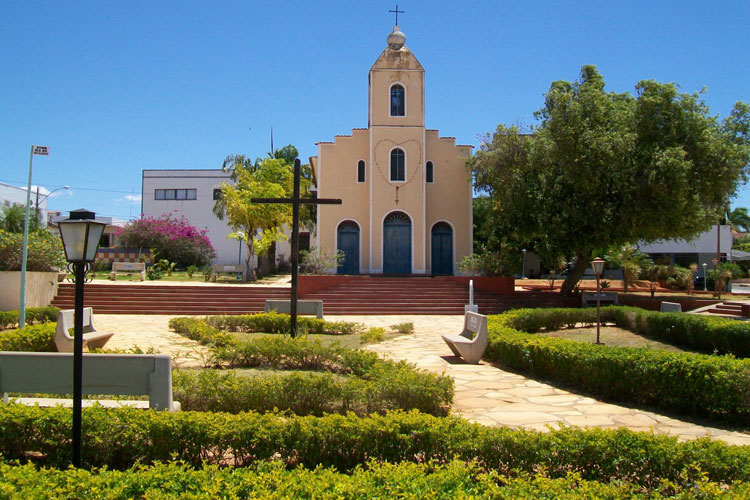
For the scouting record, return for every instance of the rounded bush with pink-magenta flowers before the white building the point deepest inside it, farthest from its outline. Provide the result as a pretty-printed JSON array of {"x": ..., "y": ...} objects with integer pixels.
[{"x": 173, "y": 239}]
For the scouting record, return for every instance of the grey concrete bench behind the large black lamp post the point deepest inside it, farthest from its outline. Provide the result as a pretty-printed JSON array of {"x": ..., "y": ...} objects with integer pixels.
[{"x": 116, "y": 374}]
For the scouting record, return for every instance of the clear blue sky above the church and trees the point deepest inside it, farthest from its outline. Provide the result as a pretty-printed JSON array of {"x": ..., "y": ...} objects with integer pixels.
[{"x": 114, "y": 88}]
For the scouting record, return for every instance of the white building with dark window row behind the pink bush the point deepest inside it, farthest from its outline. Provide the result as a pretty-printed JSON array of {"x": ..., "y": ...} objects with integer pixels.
[{"x": 192, "y": 193}]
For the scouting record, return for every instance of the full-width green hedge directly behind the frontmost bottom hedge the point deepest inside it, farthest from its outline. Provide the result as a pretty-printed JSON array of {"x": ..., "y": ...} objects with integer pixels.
[{"x": 120, "y": 438}]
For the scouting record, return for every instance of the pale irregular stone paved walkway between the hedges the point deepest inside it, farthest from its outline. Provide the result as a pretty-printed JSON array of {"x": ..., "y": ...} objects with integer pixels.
[{"x": 484, "y": 393}]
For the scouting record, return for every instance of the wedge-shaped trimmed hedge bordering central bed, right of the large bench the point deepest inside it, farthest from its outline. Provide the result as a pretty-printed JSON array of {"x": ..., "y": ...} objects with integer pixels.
[{"x": 370, "y": 384}]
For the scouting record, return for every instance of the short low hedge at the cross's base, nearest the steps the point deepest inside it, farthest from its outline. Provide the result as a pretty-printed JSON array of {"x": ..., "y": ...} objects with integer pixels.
[{"x": 274, "y": 322}]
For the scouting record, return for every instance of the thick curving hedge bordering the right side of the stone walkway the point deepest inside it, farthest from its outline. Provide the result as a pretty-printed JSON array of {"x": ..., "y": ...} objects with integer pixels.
[{"x": 697, "y": 384}]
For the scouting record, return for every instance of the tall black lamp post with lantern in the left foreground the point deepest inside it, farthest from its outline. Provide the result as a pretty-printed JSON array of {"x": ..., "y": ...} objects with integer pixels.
[{"x": 80, "y": 234}]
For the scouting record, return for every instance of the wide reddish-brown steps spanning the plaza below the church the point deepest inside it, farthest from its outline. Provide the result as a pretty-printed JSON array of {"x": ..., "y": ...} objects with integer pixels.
[{"x": 378, "y": 295}]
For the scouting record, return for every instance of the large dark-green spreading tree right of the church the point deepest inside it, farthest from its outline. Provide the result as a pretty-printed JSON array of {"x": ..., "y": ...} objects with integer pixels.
[{"x": 604, "y": 169}]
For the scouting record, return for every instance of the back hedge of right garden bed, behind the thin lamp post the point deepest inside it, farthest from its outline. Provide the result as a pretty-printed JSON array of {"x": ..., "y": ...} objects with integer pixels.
[{"x": 701, "y": 333}]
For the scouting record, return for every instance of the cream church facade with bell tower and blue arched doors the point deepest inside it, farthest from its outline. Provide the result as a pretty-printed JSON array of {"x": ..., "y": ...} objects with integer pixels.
[{"x": 406, "y": 192}]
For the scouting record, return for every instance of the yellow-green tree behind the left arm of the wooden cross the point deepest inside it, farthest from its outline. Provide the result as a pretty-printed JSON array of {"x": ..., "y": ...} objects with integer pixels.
[{"x": 261, "y": 224}]
